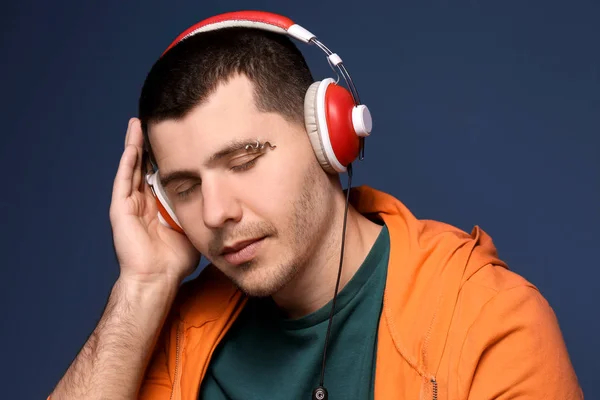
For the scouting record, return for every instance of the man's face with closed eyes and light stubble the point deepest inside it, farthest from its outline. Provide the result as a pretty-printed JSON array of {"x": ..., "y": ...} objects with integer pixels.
[{"x": 258, "y": 215}]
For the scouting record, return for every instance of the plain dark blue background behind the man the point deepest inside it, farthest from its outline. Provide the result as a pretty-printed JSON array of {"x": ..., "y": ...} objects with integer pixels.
[{"x": 485, "y": 113}]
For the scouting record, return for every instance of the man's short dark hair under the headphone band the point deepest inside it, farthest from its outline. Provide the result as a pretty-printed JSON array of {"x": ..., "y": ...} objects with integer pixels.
[{"x": 190, "y": 71}]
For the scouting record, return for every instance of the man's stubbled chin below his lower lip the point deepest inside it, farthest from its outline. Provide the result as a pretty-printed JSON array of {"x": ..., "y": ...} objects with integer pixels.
[{"x": 256, "y": 279}]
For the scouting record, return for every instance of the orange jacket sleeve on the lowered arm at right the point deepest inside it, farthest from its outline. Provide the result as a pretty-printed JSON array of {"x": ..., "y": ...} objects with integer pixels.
[{"x": 515, "y": 349}]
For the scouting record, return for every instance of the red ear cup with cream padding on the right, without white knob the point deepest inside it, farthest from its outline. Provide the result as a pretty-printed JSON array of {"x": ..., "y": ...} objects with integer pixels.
[{"x": 328, "y": 120}]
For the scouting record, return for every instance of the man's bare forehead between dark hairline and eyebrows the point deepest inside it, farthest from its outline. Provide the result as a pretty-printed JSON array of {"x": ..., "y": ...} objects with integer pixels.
[{"x": 228, "y": 115}]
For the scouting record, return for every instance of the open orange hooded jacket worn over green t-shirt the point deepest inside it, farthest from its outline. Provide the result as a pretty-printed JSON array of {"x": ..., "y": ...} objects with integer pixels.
[{"x": 455, "y": 324}]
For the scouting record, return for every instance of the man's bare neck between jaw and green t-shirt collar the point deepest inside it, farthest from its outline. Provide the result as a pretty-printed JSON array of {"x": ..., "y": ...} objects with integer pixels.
[{"x": 314, "y": 286}]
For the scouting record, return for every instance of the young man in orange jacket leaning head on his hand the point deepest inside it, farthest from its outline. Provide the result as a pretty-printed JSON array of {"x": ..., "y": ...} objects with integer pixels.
[{"x": 423, "y": 311}]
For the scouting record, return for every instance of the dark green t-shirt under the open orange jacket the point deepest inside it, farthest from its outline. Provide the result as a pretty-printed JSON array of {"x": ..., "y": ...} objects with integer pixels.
[{"x": 266, "y": 357}]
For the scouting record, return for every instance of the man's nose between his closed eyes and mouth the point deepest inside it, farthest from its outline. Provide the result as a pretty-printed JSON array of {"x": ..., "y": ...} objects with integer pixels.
[{"x": 220, "y": 205}]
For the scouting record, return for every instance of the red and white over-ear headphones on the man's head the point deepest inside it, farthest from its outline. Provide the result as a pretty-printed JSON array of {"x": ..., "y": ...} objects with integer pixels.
[{"x": 335, "y": 120}]
